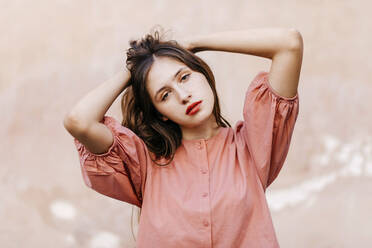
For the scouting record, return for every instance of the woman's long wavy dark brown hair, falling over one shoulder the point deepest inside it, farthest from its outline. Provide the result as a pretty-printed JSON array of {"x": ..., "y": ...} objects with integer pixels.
[{"x": 162, "y": 138}]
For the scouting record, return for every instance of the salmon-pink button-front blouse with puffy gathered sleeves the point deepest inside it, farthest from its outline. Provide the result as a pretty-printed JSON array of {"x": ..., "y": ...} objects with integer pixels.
[{"x": 213, "y": 193}]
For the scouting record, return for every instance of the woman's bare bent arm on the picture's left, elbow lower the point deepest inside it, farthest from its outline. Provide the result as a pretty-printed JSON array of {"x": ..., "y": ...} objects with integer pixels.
[{"x": 84, "y": 120}]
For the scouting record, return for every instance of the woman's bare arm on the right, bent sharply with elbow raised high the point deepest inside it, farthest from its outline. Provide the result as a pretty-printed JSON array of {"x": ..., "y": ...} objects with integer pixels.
[{"x": 283, "y": 46}]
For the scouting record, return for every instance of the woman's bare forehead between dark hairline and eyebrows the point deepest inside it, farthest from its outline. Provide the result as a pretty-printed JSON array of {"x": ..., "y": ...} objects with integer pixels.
[{"x": 161, "y": 71}]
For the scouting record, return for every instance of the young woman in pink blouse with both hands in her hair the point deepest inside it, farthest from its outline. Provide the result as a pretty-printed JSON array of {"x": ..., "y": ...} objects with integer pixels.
[{"x": 198, "y": 181}]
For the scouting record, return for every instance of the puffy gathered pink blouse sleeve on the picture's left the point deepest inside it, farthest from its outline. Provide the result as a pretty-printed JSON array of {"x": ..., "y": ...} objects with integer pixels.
[{"x": 121, "y": 171}]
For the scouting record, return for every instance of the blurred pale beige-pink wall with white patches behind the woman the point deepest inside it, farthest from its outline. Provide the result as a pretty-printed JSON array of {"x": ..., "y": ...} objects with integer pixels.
[{"x": 54, "y": 52}]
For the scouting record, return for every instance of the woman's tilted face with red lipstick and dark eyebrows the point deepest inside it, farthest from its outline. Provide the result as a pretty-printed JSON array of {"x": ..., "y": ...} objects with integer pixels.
[{"x": 173, "y": 87}]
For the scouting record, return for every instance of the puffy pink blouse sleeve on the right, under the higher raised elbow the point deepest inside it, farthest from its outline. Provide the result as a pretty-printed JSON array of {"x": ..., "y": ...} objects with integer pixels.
[{"x": 269, "y": 121}]
